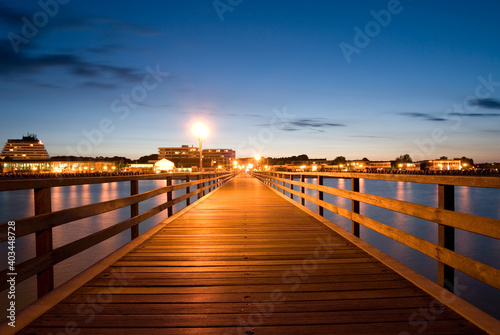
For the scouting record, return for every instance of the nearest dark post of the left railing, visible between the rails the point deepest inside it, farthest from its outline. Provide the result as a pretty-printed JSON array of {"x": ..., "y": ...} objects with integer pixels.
[{"x": 43, "y": 241}]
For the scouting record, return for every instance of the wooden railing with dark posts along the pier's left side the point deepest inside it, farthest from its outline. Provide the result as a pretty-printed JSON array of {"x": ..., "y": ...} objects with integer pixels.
[{"x": 42, "y": 265}]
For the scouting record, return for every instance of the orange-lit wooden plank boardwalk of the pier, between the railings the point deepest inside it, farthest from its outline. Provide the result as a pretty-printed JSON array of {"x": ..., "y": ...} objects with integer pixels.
[{"x": 246, "y": 261}]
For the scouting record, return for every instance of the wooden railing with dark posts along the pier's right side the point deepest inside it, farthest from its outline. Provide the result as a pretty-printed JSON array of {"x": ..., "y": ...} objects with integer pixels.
[{"x": 444, "y": 215}]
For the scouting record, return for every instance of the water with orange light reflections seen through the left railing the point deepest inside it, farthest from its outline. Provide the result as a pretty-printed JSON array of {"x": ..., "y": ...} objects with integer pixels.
[{"x": 19, "y": 204}]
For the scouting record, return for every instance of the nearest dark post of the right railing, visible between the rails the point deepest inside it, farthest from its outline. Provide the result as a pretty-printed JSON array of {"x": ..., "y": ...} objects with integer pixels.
[{"x": 446, "y": 236}]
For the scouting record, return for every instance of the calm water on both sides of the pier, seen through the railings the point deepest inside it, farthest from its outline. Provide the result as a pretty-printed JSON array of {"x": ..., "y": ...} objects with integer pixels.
[{"x": 484, "y": 202}]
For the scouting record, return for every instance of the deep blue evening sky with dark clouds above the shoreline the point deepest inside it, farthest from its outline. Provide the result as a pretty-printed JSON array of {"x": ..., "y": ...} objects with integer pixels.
[{"x": 373, "y": 79}]
